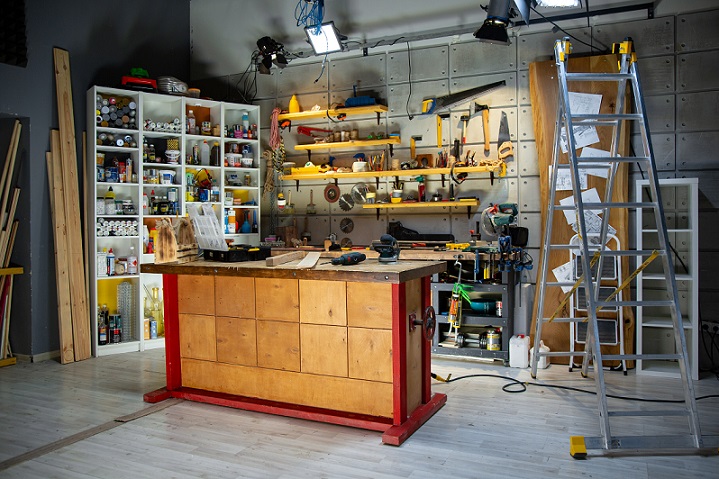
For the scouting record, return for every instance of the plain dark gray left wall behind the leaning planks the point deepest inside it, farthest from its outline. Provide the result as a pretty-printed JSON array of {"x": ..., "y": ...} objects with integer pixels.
[{"x": 105, "y": 39}]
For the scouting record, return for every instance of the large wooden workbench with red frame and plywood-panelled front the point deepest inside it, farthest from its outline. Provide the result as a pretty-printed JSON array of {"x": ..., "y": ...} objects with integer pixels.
[{"x": 332, "y": 343}]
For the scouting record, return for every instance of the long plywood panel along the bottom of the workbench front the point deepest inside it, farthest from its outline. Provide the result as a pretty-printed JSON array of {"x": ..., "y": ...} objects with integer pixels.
[{"x": 339, "y": 394}]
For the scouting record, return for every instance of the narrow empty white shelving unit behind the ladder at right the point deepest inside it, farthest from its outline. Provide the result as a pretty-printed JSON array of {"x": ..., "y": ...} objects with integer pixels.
[{"x": 680, "y": 198}]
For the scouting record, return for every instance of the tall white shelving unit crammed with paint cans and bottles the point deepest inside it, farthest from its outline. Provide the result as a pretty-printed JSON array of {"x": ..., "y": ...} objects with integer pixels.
[{"x": 160, "y": 120}]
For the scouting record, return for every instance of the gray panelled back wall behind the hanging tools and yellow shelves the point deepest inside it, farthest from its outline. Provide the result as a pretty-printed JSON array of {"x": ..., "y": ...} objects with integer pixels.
[{"x": 677, "y": 58}]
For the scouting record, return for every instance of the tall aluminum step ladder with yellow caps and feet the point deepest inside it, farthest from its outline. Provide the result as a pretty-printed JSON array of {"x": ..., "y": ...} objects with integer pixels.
[{"x": 592, "y": 250}]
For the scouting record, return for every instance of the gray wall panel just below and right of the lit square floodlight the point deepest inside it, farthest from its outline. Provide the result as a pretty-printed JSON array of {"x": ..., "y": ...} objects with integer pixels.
[{"x": 365, "y": 72}]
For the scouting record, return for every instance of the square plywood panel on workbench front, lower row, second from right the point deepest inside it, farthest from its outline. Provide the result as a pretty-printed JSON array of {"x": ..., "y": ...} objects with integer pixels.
[{"x": 323, "y": 350}]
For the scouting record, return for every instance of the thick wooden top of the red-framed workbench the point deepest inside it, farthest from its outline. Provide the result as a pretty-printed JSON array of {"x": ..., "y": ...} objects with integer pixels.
[{"x": 370, "y": 270}]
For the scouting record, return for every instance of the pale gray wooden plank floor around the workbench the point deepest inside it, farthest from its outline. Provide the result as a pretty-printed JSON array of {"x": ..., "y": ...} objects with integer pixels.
[{"x": 481, "y": 432}]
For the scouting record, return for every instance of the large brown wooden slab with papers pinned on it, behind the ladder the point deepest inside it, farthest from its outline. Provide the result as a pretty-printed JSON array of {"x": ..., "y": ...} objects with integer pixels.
[{"x": 544, "y": 91}]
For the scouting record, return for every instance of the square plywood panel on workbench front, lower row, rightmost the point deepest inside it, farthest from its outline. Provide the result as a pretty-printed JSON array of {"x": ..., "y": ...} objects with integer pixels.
[{"x": 370, "y": 354}]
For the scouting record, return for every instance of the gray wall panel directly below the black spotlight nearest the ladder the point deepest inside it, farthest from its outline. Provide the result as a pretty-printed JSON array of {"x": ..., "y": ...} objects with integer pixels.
[{"x": 476, "y": 58}]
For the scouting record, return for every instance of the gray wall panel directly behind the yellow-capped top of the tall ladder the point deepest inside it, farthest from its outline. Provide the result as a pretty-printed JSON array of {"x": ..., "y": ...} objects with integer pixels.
[{"x": 651, "y": 37}]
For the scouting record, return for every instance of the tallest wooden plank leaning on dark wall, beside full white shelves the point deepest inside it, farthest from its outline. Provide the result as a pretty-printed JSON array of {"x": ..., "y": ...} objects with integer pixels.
[{"x": 76, "y": 267}]
